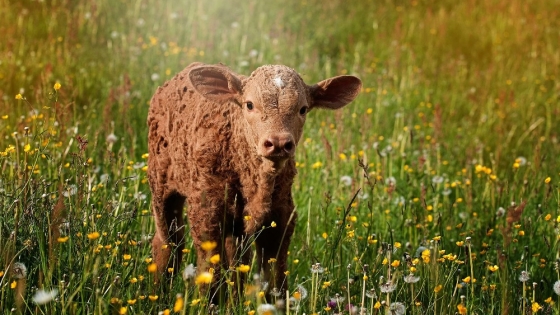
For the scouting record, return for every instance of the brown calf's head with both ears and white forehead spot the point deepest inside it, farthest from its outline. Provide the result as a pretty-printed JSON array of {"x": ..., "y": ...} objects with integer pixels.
[{"x": 275, "y": 102}]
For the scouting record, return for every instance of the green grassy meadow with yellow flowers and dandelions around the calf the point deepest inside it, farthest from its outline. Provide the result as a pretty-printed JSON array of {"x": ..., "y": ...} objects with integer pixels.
[{"x": 435, "y": 192}]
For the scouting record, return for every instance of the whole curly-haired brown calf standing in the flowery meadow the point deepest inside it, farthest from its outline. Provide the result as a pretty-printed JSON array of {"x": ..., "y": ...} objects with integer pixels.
[{"x": 225, "y": 144}]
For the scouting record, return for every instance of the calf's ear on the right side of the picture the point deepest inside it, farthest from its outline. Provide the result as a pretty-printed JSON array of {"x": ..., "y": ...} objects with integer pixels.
[{"x": 336, "y": 92}]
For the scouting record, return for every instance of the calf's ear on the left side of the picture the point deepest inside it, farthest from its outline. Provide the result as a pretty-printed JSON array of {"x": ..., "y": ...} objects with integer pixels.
[{"x": 216, "y": 83}]
